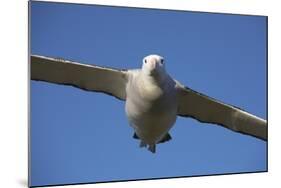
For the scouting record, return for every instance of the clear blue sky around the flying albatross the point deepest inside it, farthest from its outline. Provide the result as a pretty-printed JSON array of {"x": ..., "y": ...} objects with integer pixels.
[{"x": 79, "y": 136}]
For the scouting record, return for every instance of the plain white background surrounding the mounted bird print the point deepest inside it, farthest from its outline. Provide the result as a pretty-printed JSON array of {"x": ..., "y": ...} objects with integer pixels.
[{"x": 13, "y": 100}]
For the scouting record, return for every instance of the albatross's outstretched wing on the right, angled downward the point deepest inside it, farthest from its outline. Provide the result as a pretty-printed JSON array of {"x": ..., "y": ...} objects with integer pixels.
[{"x": 208, "y": 110}]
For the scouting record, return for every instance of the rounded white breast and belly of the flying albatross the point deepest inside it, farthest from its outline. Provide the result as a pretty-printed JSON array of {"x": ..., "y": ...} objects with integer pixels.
[{"x": 151, "y": 109}]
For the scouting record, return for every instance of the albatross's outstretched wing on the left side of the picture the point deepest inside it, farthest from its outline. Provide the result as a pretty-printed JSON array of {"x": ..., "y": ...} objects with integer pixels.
[{"x": 86, "y": 77}]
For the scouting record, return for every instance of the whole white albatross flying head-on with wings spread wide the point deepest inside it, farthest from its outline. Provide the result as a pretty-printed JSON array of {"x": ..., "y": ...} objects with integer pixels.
[{"x": 153, "y": 99}]
